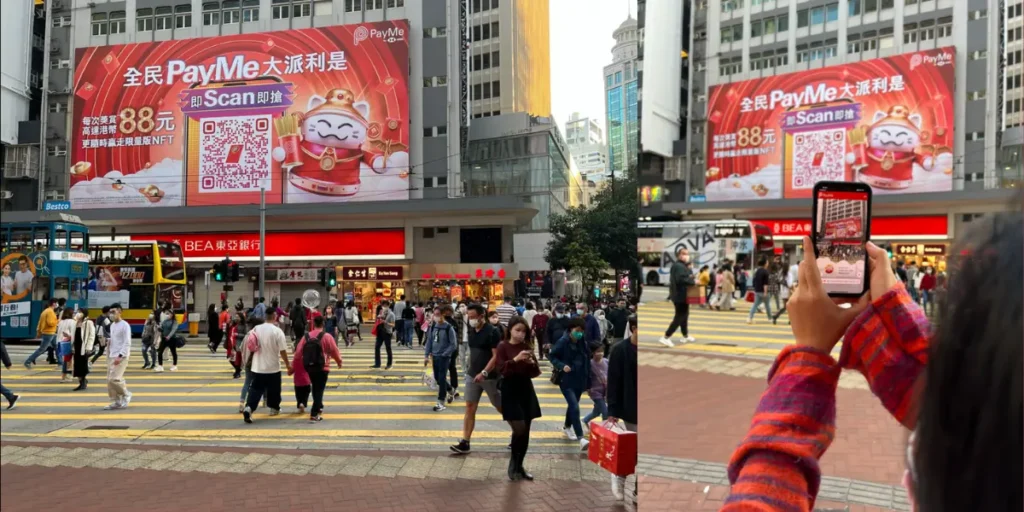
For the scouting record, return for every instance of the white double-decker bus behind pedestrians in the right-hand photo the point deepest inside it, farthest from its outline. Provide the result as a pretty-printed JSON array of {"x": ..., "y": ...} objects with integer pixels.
[{"x": 710, "y": 242}]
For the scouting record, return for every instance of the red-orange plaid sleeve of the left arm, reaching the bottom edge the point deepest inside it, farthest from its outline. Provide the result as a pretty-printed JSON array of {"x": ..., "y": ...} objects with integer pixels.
[{"x": 777, "y": 465}]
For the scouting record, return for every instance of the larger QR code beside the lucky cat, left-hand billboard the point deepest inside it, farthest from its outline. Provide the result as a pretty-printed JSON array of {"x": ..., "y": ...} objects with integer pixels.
[{"x": 235, "y": 154}]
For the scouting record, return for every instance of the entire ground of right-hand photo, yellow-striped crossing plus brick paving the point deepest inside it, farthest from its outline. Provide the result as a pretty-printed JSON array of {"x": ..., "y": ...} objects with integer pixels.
[{"x": 698, "y": 403}]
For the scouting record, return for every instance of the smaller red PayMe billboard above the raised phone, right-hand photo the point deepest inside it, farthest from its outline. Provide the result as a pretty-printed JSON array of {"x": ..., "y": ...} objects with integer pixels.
[{"x": 887, "y": 122}]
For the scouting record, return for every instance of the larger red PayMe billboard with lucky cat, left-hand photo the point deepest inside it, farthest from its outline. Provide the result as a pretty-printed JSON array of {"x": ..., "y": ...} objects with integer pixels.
[{"x": 312, "y": 116}]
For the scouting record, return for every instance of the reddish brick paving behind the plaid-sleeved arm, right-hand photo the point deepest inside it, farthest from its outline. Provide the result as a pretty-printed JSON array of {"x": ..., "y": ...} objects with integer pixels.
[{"x": 703, "y": 416}]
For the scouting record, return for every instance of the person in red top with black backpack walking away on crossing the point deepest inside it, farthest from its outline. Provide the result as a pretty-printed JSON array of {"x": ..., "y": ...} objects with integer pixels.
[{"x": 311, "y": 367}]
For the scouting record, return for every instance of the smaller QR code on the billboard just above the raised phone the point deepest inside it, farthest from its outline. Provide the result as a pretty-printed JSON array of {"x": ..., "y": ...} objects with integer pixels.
[{"x": 819, "y": 156}]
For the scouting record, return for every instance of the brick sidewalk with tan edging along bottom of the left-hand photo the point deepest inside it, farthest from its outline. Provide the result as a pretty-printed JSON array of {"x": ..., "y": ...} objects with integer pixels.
[{"x": 204, "y": 487}]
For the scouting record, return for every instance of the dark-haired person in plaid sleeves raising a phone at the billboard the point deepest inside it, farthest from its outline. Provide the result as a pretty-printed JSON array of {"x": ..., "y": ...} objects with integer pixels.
[{"x": 955, "y": 387}]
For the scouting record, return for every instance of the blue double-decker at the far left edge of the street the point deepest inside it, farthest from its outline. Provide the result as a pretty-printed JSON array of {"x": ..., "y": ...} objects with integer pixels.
[{"x": 44, "y": 260}]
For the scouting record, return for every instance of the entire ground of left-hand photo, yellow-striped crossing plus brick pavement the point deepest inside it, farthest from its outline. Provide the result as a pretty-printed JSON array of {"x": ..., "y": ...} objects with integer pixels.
[{"x": 380, "y": 447}]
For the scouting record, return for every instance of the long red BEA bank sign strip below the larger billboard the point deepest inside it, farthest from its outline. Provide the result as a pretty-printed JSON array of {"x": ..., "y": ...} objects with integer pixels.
[{"x": 288, "y": 244}]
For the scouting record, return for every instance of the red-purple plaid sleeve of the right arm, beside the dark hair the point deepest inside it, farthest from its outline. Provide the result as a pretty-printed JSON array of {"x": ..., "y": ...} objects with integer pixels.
[{"x": 888, "y": 344}]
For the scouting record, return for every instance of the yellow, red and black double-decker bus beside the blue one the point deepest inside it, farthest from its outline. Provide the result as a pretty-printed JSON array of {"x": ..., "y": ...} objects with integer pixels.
[{"x": 142, "y": 276}]
